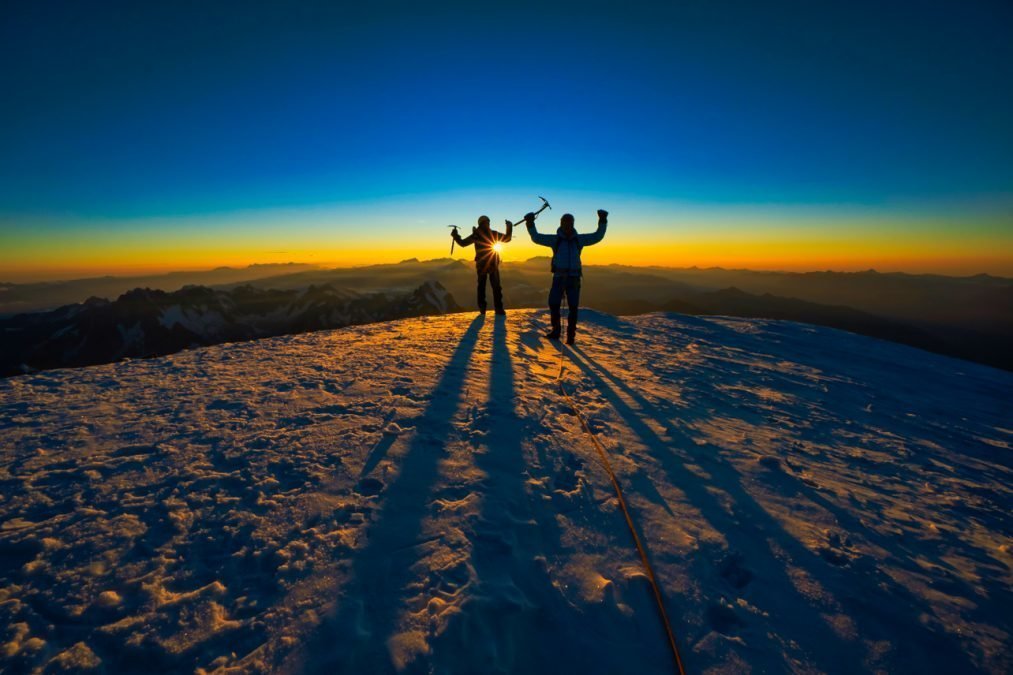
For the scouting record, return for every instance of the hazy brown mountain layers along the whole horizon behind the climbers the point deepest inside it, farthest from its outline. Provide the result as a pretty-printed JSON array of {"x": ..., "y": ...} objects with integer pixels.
[{"x": 970, "y": 318}]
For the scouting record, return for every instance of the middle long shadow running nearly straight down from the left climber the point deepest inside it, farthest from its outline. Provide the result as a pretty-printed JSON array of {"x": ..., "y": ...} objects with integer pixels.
[{"x": 516, "y": 621}]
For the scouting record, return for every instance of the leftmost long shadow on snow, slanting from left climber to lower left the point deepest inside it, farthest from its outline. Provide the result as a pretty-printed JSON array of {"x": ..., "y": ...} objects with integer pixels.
[{"x": 355, "y": 639}]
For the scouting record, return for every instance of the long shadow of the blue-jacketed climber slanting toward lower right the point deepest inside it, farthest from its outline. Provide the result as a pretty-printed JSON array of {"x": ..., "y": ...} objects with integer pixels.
[{"x": 749, "y": 535}]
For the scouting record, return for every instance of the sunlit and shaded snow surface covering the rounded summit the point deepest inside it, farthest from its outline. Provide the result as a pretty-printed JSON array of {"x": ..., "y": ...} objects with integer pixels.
[{"x": 416, "y": 496}]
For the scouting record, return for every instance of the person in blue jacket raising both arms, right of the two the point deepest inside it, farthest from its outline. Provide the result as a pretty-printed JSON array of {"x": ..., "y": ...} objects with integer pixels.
[{"x": 567, "y": 246}]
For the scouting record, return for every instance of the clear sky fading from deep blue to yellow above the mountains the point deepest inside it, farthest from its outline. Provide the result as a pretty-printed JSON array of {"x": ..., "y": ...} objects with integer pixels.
[{"x": 194, "y": 125}]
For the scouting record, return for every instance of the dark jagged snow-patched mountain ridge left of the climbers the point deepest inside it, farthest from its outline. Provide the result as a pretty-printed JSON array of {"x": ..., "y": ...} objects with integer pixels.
[{"x": 146, "y": 323}]
